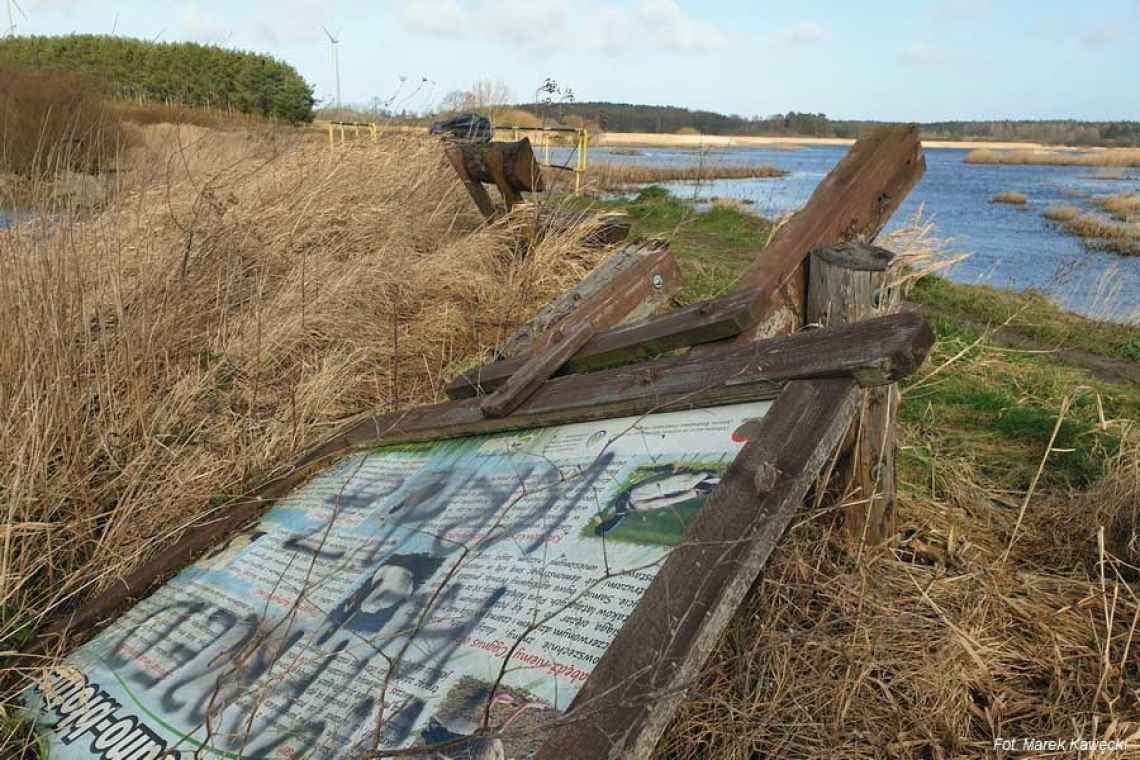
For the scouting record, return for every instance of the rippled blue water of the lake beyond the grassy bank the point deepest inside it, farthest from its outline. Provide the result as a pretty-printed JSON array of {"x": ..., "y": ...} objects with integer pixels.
[{"x": 1013, "y": 247}]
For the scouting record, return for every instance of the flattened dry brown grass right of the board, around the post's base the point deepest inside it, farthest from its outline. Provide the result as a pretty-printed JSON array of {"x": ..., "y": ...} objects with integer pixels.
[{"x": 937, "y": 643}]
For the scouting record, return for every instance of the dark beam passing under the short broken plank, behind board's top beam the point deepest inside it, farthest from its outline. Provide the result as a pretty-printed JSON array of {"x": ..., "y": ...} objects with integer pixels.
[{"x": 701, "y": 323}]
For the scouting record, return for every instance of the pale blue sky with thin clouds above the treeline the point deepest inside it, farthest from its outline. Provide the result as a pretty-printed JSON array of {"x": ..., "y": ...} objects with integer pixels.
[{"x": 887, "y": 60}]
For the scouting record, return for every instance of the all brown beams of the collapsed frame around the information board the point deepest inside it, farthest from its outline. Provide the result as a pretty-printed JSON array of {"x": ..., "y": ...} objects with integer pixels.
[{"x": 815, "y": 379}]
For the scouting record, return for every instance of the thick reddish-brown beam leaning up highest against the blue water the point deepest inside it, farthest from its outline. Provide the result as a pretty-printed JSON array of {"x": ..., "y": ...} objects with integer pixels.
[{"x": 853, "y": 202}]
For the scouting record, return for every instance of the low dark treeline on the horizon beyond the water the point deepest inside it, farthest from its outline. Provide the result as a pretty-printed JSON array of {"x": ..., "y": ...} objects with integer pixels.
[{"x": 628, "y": 118}]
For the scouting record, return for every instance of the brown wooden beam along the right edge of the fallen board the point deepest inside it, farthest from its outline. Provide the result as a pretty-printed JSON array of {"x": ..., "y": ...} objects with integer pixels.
[{"x": 636, "y": 689}]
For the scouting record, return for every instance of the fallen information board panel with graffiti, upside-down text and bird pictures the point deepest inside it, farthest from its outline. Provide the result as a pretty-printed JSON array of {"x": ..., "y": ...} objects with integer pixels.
[{"x": 404, "y": 598}]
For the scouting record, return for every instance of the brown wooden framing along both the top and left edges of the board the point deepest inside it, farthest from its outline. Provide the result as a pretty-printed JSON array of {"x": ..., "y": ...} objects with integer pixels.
[{"x": 874, "y": 353}]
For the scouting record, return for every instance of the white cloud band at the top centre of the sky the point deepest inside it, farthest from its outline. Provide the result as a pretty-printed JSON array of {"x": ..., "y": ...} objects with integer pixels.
[{"x": 551, "y": 27}]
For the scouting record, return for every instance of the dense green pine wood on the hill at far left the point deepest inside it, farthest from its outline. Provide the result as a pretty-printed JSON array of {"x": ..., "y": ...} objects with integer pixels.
[{"x": 173, "y": 72}]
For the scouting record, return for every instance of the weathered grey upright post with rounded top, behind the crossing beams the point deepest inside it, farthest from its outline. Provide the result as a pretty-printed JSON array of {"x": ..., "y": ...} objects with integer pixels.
[{"x": 844, "y": 287}]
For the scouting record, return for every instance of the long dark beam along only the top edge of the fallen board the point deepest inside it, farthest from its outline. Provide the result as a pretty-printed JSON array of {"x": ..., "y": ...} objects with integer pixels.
[{"x": 874, "y": 353}]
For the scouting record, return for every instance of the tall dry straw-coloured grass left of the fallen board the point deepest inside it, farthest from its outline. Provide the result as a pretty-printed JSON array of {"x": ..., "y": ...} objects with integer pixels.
[{"x": 241, "y": 296}]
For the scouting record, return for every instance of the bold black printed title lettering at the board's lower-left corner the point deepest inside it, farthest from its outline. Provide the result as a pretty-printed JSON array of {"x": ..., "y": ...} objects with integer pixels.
[{"x": 85, "y": 708}]
